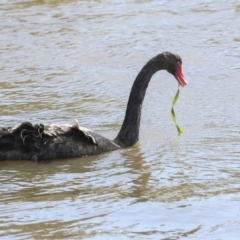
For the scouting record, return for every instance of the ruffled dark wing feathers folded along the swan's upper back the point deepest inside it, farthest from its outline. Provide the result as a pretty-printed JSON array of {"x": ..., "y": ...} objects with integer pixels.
[{"x": 26, "y": 137}]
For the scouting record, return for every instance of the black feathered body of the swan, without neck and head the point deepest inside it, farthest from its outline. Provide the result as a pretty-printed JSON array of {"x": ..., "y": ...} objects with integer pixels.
[{"x": 42, "y": 142}]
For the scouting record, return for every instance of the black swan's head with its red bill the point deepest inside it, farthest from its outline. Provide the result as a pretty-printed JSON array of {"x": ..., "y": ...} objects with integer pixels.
[{"x": 174, "y": 66}]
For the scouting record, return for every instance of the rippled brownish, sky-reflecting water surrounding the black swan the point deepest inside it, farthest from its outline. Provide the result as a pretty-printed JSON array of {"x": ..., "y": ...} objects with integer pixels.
[{"x": 64, "y": 59}]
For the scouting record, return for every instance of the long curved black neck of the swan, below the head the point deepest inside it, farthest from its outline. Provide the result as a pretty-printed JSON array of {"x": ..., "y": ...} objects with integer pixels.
[{"x": 129, "y": 132}]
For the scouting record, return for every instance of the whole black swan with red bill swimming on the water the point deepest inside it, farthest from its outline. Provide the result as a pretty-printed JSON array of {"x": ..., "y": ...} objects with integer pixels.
[{"x": 44, "y": 142}]
